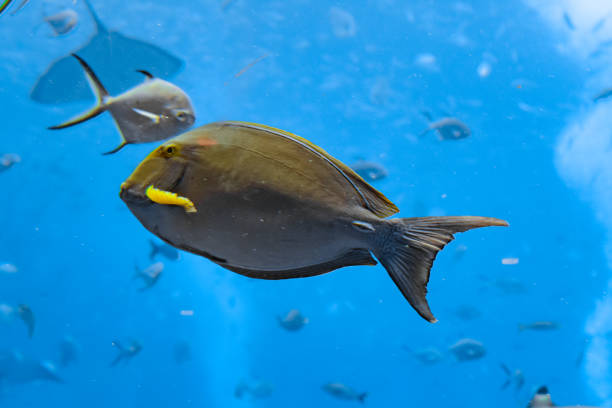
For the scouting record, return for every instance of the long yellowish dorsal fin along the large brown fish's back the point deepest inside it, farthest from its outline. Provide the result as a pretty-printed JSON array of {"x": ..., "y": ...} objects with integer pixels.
[{"x": 373, "y": 199}]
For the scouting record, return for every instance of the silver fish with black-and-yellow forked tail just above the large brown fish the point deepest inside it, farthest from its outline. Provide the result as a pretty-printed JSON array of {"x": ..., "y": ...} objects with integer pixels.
[{"x": 152, "y": 111}]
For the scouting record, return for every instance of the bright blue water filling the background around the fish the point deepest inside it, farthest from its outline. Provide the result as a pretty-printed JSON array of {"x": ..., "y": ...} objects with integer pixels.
[{"x": 363, "y": 80}]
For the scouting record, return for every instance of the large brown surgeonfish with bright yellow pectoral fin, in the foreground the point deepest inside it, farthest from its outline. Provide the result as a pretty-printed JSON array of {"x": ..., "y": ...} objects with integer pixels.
[{"x": 271, "y": 205}]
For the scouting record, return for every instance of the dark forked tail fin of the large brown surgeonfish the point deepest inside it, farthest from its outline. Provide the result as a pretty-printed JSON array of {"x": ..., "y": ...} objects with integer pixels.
[{"x": 411, "y": 247}]
